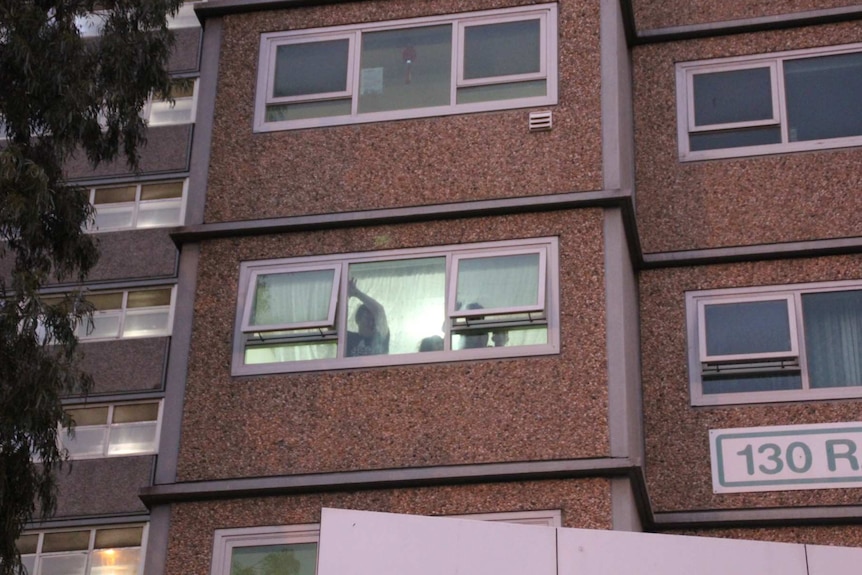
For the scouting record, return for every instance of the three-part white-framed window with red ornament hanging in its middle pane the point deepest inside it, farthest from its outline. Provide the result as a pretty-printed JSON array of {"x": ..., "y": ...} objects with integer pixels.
[{"x": 407, "y": 69}]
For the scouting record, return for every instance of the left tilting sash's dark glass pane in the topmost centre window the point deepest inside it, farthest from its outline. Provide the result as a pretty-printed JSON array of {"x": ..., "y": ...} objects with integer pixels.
[{"x": 311, "y": 68}]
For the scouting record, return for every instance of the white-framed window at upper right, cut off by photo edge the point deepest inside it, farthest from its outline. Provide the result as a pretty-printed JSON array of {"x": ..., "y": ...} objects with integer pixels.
[{"x": 785, "y": 102}]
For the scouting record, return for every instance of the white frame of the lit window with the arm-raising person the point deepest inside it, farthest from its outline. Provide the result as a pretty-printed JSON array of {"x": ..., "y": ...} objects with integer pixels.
[{"x": 548, "y": 317}]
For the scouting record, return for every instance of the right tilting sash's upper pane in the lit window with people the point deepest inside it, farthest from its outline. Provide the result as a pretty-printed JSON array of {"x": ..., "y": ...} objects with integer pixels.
[{"x": 499, "y": 282}]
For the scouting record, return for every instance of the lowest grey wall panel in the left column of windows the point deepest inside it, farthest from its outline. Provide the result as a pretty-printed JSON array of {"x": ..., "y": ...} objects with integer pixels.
[{"x": 106, "y": 486}]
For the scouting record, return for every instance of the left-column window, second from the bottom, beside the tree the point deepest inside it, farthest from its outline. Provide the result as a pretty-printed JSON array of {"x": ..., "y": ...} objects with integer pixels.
[{"x": 117, "y": 430}]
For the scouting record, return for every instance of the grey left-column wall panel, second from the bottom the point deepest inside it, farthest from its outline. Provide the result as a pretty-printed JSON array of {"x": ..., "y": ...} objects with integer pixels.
[{"x": 126, "y": 365}]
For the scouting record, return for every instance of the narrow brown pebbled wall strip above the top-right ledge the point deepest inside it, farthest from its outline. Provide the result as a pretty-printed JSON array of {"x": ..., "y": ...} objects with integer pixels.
[{"x": 651, "y": 14}]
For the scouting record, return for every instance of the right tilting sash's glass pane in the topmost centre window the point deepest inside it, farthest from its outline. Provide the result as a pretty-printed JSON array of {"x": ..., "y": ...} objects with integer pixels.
[{"x": 503, "y": 49}]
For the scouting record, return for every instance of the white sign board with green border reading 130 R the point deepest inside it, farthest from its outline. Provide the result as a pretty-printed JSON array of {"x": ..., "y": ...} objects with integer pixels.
[{"x": 779, "y": 458}]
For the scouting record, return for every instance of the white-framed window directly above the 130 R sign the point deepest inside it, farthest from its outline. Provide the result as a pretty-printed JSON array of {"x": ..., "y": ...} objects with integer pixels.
[{"x": 775, "y": 344}]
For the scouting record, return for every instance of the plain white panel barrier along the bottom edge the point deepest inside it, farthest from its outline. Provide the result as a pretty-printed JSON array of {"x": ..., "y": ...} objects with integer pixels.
[{"x": 371, "y": 543}]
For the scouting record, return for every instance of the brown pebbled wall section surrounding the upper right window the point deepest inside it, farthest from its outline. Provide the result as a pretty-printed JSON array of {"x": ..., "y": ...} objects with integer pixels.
[{"x": 739, "y": 201}]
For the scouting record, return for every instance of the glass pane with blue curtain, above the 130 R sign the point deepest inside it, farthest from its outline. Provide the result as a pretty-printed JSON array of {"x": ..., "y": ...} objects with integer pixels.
[{"x": 833, "y": 338}]
